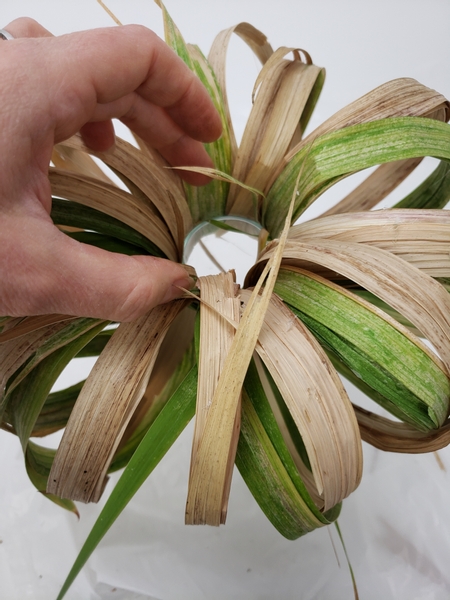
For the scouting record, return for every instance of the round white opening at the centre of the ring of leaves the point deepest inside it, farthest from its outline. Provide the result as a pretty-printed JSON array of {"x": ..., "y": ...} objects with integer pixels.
[{"x": 221, "y": 244}]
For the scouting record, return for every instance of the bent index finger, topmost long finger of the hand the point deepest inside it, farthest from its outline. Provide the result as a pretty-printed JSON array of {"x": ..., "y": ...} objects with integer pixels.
[{"x": 108, "y": 64}]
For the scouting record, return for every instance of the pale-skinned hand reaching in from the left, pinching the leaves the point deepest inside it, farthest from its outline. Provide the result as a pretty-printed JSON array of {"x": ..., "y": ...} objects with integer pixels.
[{"x": 51, "y": 88}]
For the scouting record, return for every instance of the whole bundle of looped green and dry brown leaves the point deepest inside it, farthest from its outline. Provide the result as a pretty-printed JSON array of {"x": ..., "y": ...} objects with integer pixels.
[{"x": 357, "y": 292}]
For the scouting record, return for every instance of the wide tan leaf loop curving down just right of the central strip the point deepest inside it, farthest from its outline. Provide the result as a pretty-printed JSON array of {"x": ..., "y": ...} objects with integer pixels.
[{"x": 316, "y": 400}]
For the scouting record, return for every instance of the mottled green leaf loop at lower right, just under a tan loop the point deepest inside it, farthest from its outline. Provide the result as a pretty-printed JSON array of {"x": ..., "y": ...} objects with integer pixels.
[{"x": 372, "y": 348}]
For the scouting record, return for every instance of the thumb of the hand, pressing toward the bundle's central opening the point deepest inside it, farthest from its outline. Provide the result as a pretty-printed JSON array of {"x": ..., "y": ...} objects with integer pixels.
[{"x": 48, "y": 272}]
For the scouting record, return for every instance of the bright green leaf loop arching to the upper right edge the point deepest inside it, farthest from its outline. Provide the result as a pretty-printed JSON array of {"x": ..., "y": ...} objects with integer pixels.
[{"x": 335, "y": 155}]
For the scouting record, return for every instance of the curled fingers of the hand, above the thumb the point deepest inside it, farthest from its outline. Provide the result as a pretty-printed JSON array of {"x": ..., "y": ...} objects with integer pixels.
[{"x": 123, "y": 72}]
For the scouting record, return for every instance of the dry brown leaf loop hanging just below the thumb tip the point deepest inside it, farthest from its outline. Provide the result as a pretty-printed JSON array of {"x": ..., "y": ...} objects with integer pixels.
[{"x": 106, "y": 404}]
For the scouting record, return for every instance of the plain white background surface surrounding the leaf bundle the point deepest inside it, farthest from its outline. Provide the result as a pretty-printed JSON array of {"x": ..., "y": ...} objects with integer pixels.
[{"x": 397, "y": 524}]
